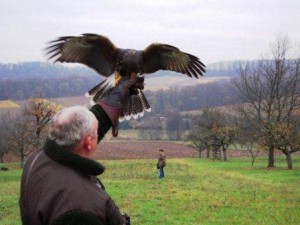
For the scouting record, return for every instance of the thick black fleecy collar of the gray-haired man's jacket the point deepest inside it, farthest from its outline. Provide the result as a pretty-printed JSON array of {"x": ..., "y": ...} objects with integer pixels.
[{"x": 65, "y": 157}]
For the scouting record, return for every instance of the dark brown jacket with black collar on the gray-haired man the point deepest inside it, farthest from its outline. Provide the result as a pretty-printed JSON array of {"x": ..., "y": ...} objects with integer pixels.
[{"x": 59, "y": 187}]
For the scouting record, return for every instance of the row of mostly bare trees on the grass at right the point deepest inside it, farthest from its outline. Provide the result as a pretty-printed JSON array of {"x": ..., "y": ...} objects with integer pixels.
[{"x": 269, "y": 115}]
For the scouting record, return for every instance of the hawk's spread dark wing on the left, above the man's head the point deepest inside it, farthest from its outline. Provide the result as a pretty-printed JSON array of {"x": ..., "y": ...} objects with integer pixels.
[{"x": 95, "y": 51}]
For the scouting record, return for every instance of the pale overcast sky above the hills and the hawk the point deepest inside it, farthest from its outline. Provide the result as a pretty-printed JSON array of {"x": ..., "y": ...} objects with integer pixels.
[{"x": 213, "y": 30}]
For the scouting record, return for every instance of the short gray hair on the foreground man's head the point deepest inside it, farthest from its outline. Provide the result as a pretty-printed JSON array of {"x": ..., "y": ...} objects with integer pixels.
[{"x": 69, "y": 125}]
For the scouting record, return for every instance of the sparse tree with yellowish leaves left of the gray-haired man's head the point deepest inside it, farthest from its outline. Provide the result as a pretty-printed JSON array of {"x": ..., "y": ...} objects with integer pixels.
[{"x": 25, "y": 130}]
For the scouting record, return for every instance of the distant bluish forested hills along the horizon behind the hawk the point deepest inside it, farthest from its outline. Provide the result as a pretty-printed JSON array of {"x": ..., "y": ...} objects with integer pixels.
[{"x": 25, "y": 80}]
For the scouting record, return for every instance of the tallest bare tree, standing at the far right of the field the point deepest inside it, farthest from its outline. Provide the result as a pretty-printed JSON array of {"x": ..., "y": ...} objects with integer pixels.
[{"x": 270, "y": 90}]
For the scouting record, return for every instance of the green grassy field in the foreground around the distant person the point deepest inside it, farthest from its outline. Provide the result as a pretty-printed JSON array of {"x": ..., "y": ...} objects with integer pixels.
[{"x": 194, "y": 191}]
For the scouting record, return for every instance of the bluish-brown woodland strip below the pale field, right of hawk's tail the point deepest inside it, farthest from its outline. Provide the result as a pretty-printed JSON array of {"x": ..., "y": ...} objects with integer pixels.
[{"x": 192, "y": 98}]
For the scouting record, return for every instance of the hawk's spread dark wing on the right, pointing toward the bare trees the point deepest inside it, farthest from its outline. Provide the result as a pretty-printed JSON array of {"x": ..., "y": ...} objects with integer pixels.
[{"x": 166, "y": 57}]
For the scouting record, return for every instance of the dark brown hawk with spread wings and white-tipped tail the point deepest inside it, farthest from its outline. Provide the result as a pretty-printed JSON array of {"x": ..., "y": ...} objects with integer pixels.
[{"x": 99, "y": 53}]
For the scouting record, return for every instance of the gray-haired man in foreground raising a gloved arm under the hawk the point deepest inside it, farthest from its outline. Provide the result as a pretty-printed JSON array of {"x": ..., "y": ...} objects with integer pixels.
[{"x": 59, "y": 182}]
